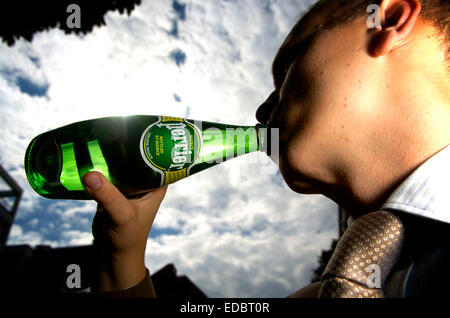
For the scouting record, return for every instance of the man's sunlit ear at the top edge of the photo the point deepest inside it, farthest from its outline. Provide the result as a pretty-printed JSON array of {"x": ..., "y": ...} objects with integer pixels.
[{"x": 398, "y": 18}]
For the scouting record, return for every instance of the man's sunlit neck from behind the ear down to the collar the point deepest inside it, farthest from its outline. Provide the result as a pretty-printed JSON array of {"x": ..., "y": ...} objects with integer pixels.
[{"x": 410, "y": 125}]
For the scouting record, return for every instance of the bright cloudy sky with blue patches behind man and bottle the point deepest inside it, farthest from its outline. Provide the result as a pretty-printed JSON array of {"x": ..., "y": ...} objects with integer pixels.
[{"x": 234, "y": 230}]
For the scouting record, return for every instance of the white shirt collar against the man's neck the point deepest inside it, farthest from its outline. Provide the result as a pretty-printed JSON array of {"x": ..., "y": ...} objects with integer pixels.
[{"x": 426, "y": 192}]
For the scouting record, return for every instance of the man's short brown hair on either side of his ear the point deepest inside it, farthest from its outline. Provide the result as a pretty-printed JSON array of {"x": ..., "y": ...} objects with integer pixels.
[{"x": 436, "y": 12}]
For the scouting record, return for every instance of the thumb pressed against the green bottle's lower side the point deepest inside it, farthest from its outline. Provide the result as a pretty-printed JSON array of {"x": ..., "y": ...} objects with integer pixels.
[{"x": 108, "y": 196}]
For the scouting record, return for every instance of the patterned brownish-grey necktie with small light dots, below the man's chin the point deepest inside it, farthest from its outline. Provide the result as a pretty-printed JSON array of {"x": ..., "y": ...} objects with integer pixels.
[{"x": 364, "y": 257}]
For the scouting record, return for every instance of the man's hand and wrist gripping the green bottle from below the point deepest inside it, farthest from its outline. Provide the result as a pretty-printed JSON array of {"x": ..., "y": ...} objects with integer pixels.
[{"x": 121, "y": 227}]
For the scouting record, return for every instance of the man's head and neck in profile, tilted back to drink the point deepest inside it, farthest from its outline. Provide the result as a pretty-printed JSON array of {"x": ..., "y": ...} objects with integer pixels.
[{"x": 358, "y": 107}]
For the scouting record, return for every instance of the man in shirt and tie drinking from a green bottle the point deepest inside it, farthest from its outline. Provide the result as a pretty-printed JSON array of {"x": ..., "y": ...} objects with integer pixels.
[{"x": 364, "y": 119}]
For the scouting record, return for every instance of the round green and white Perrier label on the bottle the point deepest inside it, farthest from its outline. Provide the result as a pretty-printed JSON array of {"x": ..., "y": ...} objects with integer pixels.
[{"x": 171, "y": 146}]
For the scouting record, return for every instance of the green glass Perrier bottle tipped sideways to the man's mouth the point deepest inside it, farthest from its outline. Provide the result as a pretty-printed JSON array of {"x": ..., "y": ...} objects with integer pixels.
[{"x": 135, "y": 153}]
